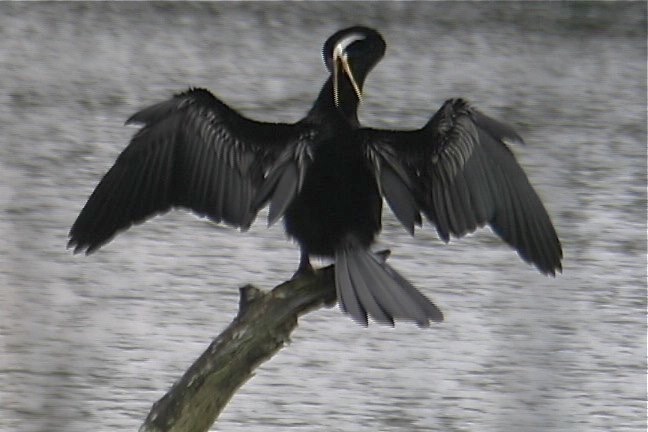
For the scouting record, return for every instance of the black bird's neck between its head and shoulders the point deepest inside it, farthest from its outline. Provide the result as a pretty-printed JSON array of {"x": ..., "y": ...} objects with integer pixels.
[{"x": 346, "y": 110}]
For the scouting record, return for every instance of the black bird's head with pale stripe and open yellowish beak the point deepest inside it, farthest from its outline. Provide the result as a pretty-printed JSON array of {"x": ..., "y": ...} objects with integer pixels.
[{"x": 350, "y": 54}]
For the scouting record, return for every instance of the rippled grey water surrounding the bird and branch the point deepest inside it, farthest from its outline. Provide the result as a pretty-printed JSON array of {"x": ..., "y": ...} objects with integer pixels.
[{"x": 92, "y": 342}]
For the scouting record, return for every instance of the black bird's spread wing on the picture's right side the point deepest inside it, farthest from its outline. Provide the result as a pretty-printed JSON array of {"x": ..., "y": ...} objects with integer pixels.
[{"x": 459, "y": 172}]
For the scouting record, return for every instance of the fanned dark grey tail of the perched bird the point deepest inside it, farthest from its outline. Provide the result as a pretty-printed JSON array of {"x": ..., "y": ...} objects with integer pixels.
[{"x": 366, "y": 285}]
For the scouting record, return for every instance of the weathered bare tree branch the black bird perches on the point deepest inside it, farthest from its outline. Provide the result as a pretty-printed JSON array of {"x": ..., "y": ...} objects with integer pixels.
[{"x": 263, "y": 325}]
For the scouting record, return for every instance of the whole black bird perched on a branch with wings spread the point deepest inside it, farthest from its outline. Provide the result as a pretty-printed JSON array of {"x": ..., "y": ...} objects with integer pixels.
[{"x": 327, "y": 177}]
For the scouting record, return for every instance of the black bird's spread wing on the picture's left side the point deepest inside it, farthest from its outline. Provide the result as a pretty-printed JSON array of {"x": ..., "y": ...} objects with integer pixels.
[{"x": 193, "y": 152}]
